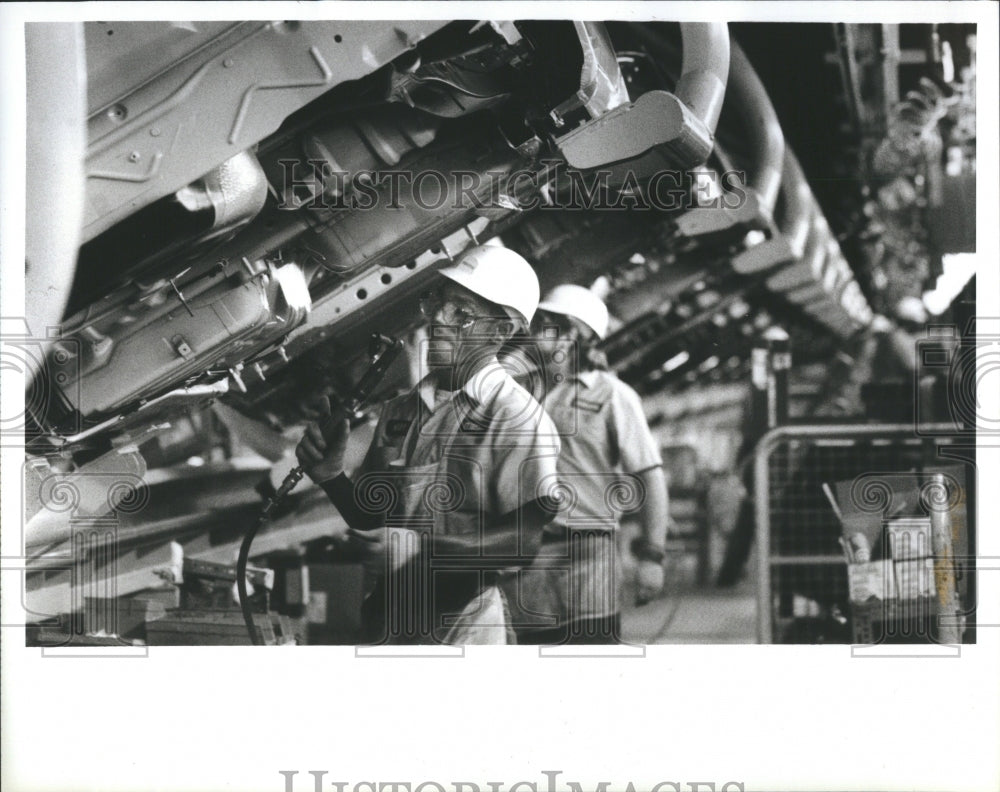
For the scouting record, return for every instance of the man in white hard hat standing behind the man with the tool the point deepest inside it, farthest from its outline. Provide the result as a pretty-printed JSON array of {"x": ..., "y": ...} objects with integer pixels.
[{"x": 609, "y": 464}]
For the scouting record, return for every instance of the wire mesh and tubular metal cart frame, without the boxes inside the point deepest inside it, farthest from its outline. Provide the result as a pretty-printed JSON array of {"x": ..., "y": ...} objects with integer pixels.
[{"x": 800, "y": 556}]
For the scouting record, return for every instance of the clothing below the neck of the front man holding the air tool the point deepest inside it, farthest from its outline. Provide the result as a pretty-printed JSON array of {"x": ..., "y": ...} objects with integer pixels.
[{"x": 456, "y": 465}]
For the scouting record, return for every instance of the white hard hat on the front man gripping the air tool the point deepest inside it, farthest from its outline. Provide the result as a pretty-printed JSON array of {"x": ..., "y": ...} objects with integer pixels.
[{"x": 499, "y": 275}]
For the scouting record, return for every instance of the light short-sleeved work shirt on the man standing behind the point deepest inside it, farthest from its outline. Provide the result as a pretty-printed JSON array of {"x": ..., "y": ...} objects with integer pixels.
[{"x": 604, "y": 434}]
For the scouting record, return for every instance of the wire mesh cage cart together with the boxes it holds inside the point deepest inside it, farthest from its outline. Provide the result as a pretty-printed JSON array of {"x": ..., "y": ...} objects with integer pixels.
[{"x": 819, "y": 487}]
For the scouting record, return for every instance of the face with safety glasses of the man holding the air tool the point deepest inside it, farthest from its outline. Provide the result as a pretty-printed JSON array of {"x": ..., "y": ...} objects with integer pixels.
[{"x": 462, "y": 326}]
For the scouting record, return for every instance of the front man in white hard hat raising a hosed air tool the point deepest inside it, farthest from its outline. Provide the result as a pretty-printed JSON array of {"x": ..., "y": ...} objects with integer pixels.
[{"x": 452, "y": 490}]
